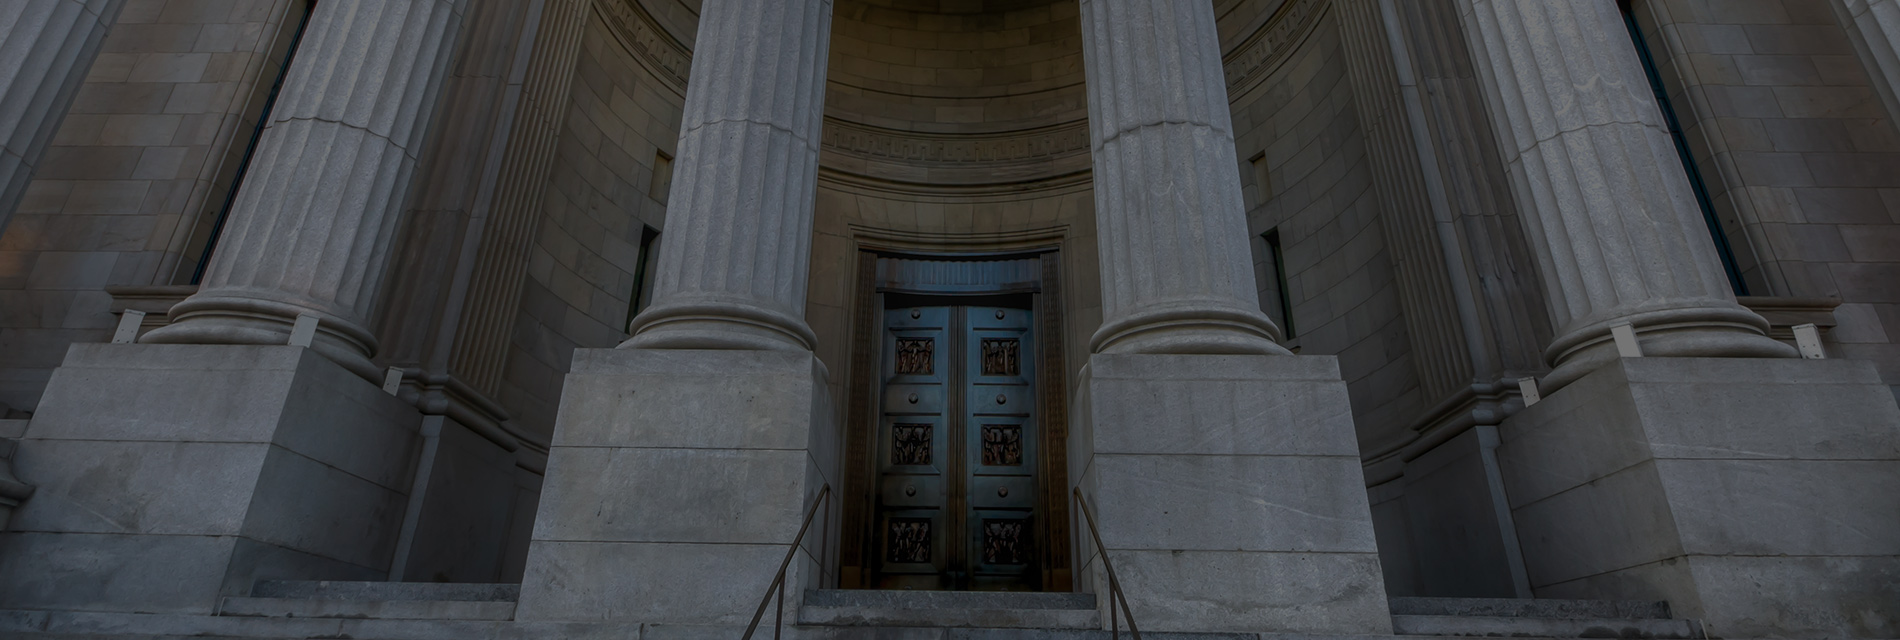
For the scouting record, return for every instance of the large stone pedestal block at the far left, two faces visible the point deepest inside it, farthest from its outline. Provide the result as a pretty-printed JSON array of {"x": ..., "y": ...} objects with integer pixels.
[{"x": 174, "y": 476}]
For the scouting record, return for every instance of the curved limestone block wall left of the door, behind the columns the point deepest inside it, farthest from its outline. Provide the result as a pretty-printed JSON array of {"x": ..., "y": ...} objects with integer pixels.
[{"x": 624, "y": 113}]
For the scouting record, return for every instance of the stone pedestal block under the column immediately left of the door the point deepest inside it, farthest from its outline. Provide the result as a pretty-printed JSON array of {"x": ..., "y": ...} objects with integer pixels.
[{"x": 675, "y": 487}]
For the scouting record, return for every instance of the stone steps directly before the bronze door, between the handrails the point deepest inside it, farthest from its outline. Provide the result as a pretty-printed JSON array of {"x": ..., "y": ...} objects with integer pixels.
[{"x": 949, "y": 611}]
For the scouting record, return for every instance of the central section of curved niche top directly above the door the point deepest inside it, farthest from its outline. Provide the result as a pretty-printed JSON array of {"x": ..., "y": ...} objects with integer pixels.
[{"x": 957, "y": 92}]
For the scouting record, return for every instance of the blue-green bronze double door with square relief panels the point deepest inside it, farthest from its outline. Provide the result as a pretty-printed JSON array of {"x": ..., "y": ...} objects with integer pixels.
[{"x": 957, "y": 500}]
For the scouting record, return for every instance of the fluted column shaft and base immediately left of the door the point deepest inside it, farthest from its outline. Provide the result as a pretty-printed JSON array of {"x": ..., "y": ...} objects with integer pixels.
[{"x": 738, "y": 244}]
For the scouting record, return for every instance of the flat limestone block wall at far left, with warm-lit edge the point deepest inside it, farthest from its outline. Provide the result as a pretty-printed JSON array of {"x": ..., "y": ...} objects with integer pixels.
[{"x": 136, "y": 174}]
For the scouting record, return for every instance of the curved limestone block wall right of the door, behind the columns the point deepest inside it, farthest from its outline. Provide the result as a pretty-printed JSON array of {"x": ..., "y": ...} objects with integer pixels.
[{"x": 1314, "y": 185}]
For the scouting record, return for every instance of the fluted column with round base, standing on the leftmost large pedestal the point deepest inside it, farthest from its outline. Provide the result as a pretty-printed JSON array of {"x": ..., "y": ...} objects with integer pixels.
[{"x": 318, "y": 214}]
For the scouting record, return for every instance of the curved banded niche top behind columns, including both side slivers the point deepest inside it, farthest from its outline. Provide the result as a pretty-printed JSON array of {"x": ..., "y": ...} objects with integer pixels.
[{"x": 964, "y": 92}]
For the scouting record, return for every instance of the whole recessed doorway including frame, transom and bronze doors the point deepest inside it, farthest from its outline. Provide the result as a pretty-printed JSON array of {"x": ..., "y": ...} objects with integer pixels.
[{"x": 957, "y": 461}]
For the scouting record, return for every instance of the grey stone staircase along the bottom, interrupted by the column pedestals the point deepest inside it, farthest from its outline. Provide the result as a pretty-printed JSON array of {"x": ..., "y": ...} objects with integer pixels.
[{"x": 485, "y": 612}]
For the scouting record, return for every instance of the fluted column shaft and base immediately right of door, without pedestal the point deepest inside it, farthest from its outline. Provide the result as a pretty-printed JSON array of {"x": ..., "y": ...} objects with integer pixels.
[{"x": 1177, "y": 274}]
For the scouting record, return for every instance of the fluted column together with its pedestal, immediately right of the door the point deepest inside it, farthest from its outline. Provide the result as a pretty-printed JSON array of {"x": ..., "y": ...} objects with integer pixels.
[{"x": 1185, "y": 402}]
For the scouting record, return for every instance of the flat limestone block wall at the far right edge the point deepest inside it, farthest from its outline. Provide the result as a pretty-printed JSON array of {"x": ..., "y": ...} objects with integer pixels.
[{"x": 1798, "y": 153}]
